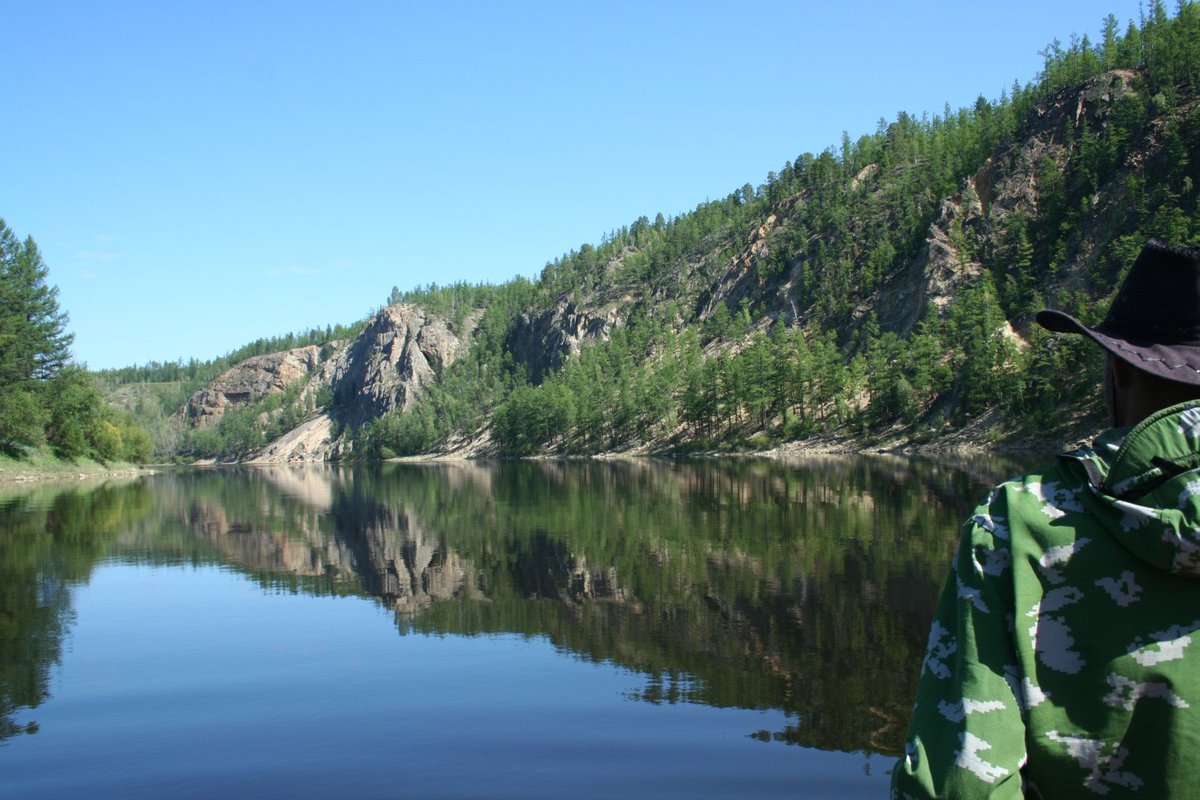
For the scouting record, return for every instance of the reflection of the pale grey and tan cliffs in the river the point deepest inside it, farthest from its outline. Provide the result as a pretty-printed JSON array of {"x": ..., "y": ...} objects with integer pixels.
[{"x": 307, "y": 530}]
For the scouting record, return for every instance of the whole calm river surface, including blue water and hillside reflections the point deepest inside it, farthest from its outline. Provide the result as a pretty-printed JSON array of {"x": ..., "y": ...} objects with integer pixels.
[{"x": 542, "y": 630}]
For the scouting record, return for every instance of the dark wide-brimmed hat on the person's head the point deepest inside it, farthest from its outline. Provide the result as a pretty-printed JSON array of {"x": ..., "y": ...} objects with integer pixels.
[{"x": 1154, "y": 323}]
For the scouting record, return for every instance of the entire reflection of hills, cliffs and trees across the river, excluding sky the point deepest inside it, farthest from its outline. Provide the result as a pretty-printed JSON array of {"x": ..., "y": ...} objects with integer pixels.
[{"x": 805, "y": 587}]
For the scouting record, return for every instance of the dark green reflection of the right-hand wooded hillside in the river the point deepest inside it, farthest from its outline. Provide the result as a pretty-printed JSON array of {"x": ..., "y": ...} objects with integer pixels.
[{"x": 805, "y": 588}]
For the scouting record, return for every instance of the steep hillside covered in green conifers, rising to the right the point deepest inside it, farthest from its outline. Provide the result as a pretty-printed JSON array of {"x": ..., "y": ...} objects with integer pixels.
[{"x": 883, "y": 290}]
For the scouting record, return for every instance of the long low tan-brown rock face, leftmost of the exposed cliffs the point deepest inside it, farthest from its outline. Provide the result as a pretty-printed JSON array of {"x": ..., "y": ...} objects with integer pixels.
[{"x": 250, "y": 381}]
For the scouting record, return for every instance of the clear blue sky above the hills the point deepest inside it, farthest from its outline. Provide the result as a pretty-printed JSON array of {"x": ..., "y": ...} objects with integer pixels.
[{"x": 203, "y": 175}]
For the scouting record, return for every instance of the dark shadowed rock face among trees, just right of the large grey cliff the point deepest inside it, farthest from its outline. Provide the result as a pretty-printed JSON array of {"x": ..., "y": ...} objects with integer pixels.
[{"x": 545, "y": 342}]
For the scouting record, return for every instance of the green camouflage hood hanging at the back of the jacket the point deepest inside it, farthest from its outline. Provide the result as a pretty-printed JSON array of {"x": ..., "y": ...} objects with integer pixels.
[{"x": 1151, "y": 484}]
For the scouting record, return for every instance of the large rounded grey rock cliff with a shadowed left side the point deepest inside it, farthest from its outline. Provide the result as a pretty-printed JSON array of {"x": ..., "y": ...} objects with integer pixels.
[{"x": 403, "y": 351}]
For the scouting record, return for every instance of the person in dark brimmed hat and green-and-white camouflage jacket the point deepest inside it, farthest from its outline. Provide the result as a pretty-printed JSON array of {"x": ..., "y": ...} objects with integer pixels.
[{"x": 1064, "y": 660}]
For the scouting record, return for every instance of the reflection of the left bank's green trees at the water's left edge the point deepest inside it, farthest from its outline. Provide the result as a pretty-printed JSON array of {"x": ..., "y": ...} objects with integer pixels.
[{"x": 50, "y": 540}]
